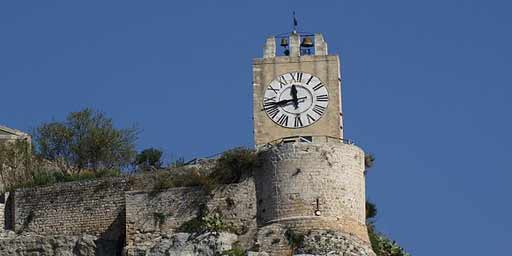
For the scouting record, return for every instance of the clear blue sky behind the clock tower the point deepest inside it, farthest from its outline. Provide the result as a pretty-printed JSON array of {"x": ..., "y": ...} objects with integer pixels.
[{"x": 426, "y": 89}]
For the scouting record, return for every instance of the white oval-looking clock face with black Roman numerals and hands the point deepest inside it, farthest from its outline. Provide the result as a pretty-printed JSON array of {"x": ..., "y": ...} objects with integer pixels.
[{"x": 295, "y": 100}]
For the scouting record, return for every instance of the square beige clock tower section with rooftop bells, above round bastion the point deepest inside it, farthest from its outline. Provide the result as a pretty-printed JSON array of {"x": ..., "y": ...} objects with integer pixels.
[{"x": 297, "y": 90}]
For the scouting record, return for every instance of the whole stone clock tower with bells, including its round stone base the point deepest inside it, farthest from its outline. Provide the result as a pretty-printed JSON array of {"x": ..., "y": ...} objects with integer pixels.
[{"x": 311, "y": 179}]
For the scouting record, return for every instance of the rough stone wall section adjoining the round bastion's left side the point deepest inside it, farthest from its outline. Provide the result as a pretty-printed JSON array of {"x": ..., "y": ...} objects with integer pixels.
[{"x": 149, "y": 214}]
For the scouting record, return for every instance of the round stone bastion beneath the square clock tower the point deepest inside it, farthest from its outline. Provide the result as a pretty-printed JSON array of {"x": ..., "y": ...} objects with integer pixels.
[{"x": 312, "y": 186}]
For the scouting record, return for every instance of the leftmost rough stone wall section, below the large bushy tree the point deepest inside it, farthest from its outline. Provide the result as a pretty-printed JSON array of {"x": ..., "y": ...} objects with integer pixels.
[{"x": 83, "y": 207}]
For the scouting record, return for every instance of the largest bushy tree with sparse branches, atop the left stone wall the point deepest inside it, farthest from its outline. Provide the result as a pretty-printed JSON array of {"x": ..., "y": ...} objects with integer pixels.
[{"x": 86, "y": 140}]
